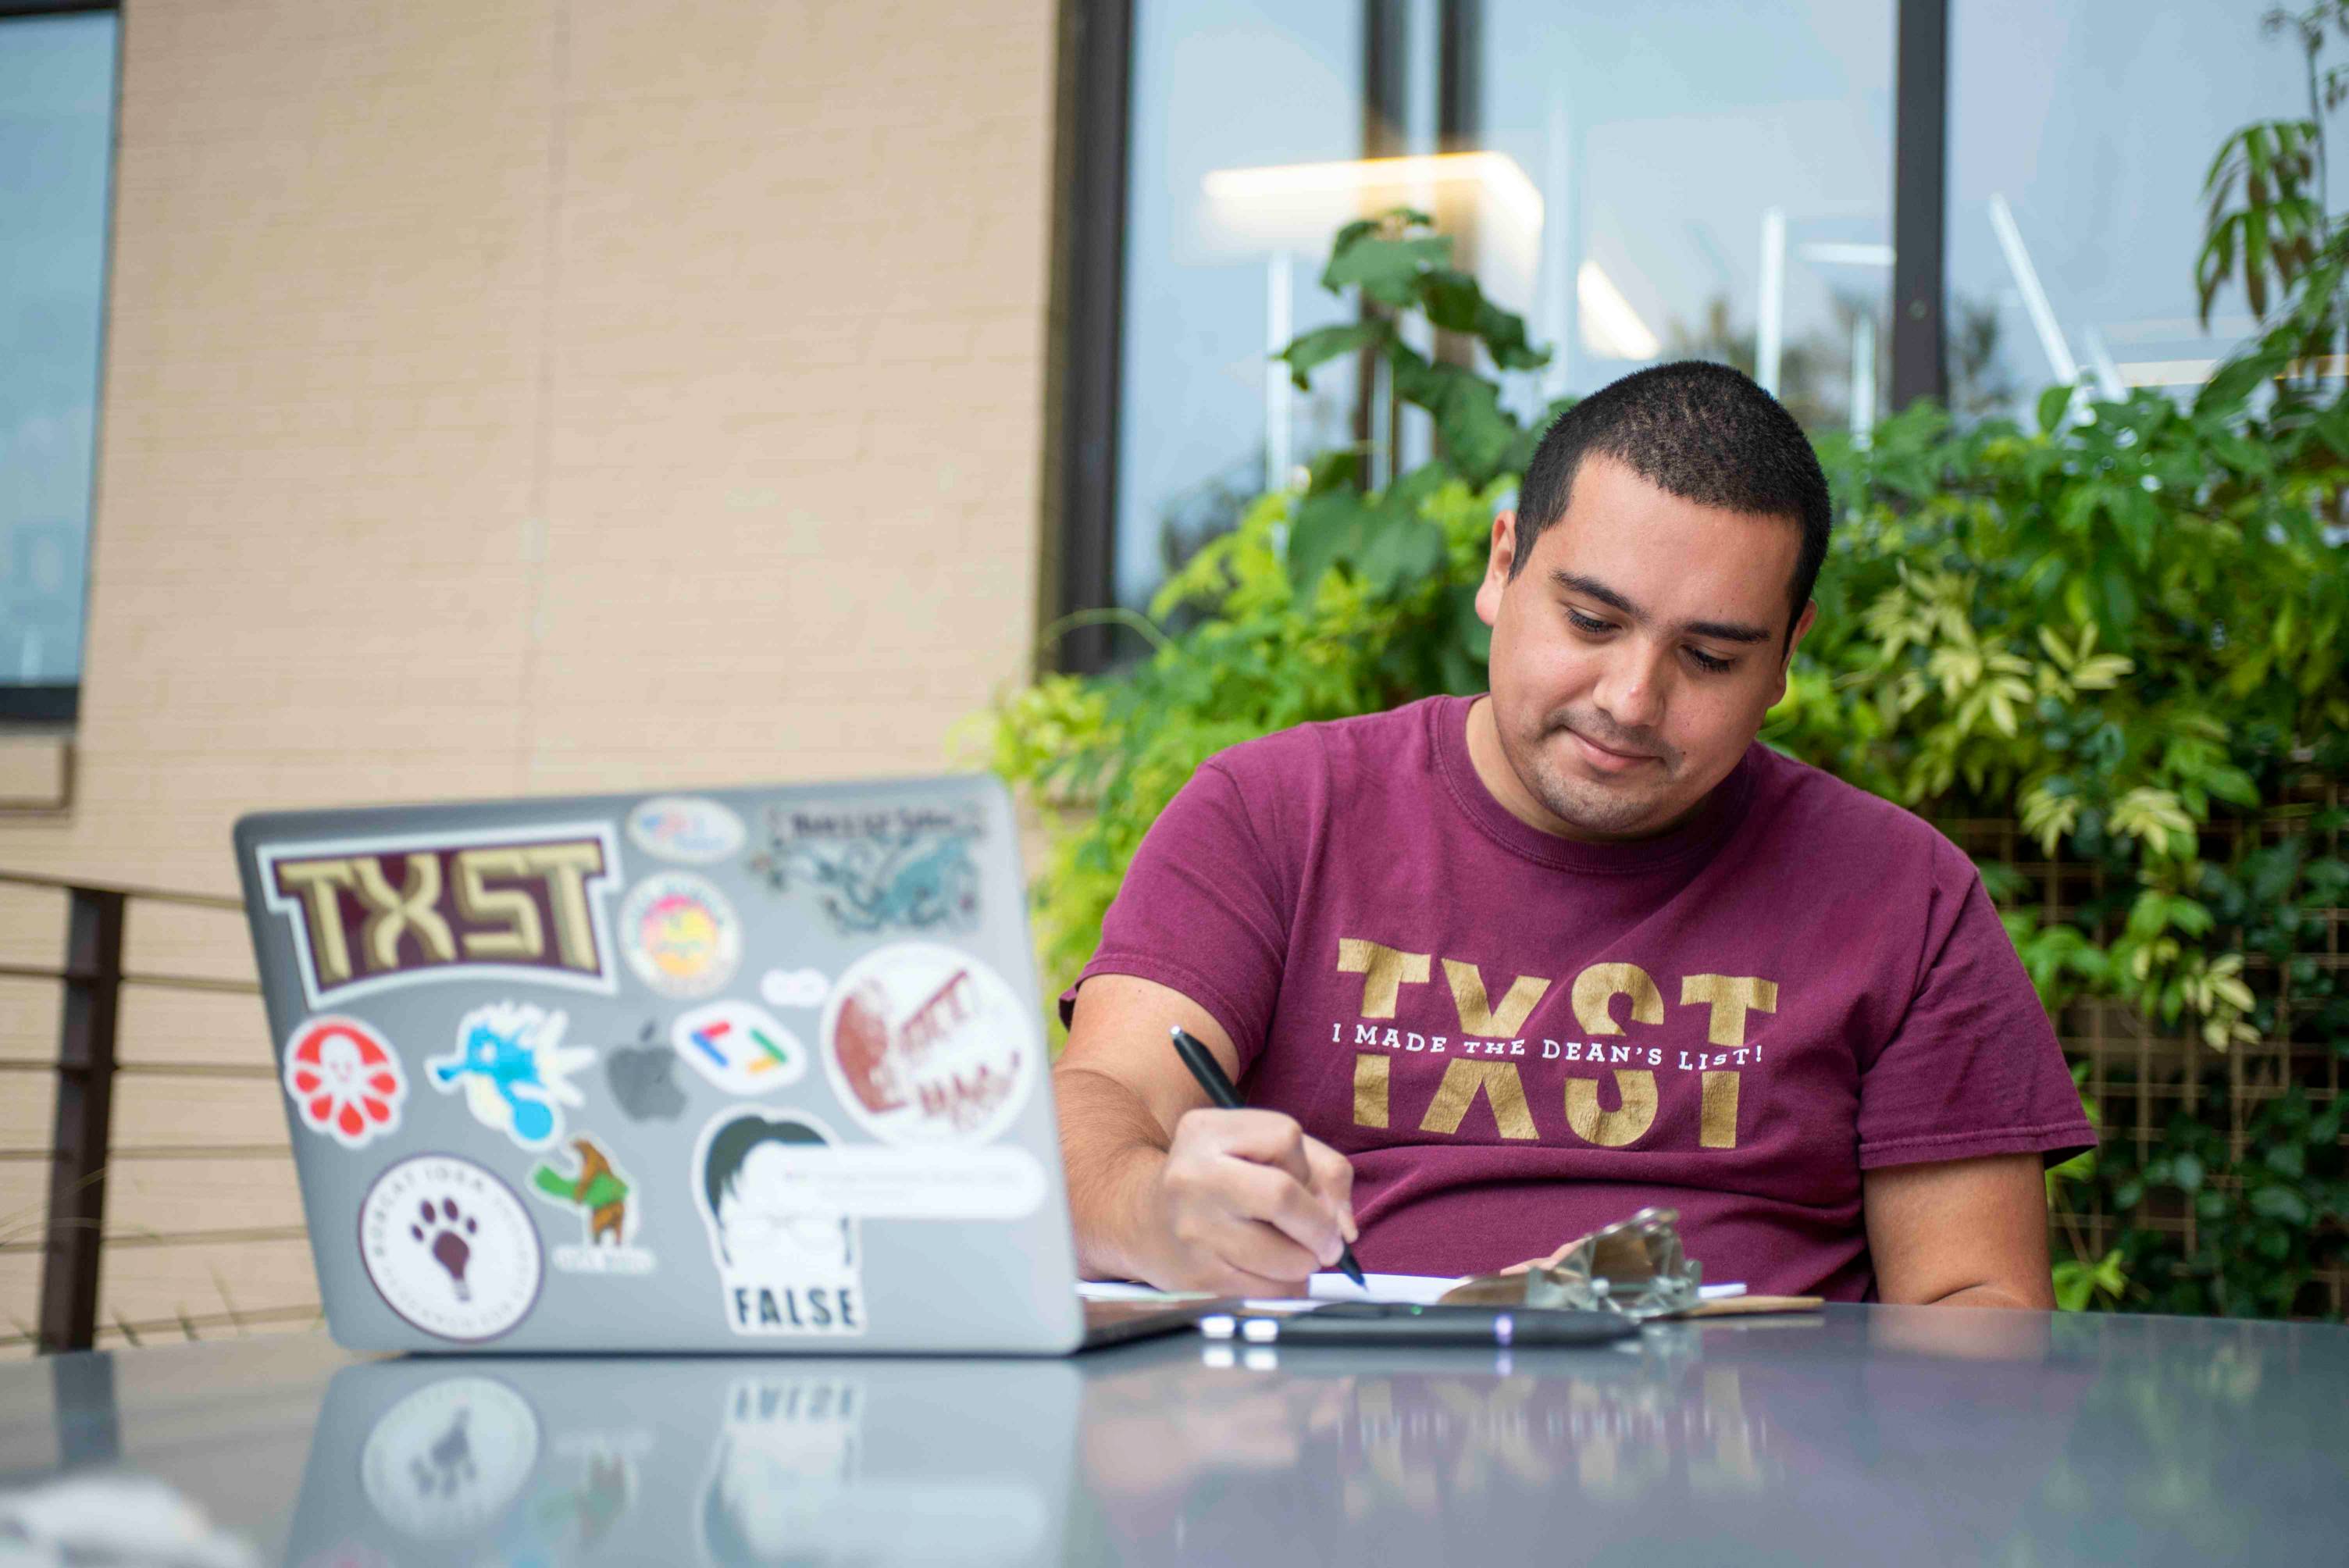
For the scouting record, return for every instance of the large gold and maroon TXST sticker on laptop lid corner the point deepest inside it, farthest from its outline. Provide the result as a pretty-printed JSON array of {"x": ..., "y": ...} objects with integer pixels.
[{"x": 391, "y": 912}]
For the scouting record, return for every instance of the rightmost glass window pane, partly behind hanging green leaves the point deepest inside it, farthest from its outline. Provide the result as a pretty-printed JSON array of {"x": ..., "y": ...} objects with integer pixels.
[{"x": 2080, "y": 135}]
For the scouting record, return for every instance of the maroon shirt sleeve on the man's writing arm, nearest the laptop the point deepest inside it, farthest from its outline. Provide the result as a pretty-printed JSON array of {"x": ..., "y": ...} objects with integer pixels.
[{"x": 1204, "y": 912}]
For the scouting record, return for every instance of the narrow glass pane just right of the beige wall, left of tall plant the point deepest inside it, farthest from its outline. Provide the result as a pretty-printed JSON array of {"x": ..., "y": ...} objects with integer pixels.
[{"x": 1218, "y": 273}]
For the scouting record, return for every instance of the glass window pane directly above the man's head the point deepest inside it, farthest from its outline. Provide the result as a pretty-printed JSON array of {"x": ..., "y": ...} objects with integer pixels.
[{"x": 1716, "y": 182}]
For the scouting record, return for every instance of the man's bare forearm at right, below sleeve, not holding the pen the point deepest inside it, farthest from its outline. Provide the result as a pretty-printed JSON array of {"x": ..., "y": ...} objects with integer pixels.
[{"x": 1965, "y": 1234}]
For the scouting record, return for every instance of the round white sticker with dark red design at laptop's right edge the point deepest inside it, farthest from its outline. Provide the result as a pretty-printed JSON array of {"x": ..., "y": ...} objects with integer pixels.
[{"x": 929, "y": 1046}]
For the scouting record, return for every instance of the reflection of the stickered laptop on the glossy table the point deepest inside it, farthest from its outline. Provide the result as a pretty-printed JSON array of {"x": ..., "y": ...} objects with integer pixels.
[{"x": 718, "y": 1461}]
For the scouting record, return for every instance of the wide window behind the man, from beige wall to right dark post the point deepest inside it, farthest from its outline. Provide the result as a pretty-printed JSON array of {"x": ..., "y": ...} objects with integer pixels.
[{"x": 1709, "y": 180}]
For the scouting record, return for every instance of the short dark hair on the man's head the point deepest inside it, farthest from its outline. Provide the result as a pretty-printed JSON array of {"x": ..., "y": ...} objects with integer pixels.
[{"x": 1702, "y": 433}]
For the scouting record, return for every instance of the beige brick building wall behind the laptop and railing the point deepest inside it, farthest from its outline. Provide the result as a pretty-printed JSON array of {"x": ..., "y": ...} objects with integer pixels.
[{"x": 520, "y": 398}]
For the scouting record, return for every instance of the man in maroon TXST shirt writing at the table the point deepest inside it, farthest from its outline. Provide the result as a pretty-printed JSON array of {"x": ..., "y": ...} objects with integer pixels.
[{"x": 1500, "y": 971}]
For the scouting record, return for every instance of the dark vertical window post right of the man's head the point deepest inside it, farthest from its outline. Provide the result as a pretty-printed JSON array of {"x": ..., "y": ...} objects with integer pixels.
[{"x": 1920, "y": 191}]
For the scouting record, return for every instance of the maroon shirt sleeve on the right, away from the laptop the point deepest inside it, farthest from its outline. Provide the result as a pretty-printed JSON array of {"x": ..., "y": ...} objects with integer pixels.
[{"x": 1974, "y": 1067}]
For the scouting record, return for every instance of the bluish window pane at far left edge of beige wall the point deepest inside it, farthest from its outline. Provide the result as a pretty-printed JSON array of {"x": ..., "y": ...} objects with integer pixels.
[{"x": 58, "y": 93}]
